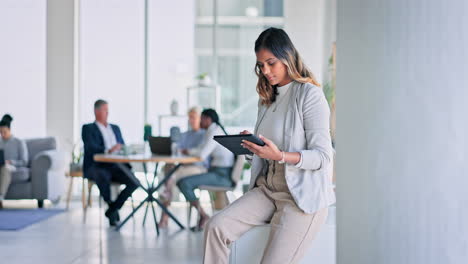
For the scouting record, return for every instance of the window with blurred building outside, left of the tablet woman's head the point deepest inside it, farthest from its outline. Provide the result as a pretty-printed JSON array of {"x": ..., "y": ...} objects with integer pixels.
[{"x": 231, "y": 58}]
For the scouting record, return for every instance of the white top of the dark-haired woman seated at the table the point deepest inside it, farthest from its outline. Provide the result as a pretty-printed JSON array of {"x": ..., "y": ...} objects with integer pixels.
[{"x": 209, "y": 148}]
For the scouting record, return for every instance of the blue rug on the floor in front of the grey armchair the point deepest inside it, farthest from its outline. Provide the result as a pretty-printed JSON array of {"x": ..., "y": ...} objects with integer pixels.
[{"x": 16, "y": 219}]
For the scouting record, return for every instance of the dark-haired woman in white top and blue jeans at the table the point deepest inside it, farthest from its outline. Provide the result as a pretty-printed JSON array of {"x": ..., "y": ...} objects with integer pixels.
[{"x": 221, "y": 162}]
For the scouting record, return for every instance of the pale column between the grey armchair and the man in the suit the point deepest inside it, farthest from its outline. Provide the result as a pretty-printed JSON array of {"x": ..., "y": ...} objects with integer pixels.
[{"x": 62, "y": 114}]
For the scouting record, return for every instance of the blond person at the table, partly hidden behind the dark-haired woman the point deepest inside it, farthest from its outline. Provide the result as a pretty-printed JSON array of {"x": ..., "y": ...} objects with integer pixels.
[{"x": 189, "y": 139}]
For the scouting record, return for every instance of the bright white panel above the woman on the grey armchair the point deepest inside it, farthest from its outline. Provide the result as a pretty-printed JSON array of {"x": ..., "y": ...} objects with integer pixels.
[{"x": 22, "y": 65}]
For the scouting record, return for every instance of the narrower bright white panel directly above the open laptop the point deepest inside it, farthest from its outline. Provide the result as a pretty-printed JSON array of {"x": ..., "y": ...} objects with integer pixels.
[{"x": 171, "y": 56}]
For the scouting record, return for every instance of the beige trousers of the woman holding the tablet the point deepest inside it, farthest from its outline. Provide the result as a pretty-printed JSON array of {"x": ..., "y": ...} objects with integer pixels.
[{"x": 292, "y": 230}]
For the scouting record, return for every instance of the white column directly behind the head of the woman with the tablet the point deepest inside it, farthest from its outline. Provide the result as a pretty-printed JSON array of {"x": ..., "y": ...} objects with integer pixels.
[{"x": 304, "y": 23}]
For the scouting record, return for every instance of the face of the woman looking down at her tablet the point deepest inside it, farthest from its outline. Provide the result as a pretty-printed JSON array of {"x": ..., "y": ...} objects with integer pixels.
[{"x": 274, "y": 70}]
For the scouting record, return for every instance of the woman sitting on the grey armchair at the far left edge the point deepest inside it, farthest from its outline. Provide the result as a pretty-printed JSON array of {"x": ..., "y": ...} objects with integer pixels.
[{"x": 14, "y": 152}]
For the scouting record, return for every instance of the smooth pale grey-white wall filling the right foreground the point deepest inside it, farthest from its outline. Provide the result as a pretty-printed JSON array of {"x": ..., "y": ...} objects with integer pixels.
[{"x": 402, "y": 146}]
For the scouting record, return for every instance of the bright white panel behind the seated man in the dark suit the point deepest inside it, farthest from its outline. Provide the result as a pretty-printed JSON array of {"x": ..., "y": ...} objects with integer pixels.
[{"x": 111, "y": 66}]
